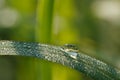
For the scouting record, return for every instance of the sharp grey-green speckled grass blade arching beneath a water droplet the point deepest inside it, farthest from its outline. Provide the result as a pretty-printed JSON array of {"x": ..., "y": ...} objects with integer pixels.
[{"x": 91, "y": 67}]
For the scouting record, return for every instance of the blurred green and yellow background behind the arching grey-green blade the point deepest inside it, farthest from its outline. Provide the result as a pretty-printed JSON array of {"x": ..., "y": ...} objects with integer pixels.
[{"x": 94, "y": 25}]
